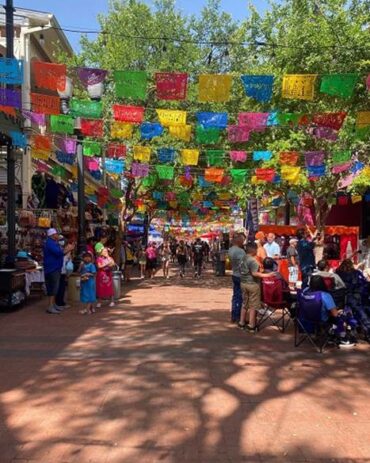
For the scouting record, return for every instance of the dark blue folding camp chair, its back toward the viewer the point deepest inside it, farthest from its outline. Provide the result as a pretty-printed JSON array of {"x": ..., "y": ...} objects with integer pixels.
[{"x": 308, "y": 323}]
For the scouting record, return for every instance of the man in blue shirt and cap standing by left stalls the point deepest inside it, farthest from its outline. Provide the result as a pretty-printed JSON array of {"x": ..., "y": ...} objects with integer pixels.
[{"x": 53, "y": 263}]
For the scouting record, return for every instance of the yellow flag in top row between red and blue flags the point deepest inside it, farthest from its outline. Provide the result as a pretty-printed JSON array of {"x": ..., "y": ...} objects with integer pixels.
[{"x": 214, "y": 87}]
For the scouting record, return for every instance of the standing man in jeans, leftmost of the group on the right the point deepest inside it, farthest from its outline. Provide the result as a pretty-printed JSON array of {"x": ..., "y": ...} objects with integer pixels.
[{"x": 236, "y": 255}]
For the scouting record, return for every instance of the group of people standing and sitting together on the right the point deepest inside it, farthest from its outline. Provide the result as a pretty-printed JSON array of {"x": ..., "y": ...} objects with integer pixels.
[{"x": 344, "y": 293}]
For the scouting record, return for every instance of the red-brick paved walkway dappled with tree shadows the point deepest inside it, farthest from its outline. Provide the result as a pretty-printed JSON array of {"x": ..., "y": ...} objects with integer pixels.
[{"x": 163, "y": 377}]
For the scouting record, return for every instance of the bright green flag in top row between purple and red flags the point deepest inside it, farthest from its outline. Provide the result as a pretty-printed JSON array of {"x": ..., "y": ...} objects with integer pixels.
[{"x": 131, "y": 84}]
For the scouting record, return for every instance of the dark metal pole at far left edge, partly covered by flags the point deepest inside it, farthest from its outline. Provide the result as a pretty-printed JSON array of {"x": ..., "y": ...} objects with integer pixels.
[{"x": 9, "y": 28}]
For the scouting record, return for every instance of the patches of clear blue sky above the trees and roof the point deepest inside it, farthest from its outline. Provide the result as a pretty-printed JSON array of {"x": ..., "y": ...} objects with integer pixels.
[{"x": 82, "y": 14}]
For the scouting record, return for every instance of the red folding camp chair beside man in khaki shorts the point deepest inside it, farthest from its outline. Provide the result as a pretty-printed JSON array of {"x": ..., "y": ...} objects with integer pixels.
[{"x": 273, "y": 302}]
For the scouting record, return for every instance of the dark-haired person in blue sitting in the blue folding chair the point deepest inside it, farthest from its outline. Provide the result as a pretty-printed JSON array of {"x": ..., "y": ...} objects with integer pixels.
[{"x": 341, "y": 322}]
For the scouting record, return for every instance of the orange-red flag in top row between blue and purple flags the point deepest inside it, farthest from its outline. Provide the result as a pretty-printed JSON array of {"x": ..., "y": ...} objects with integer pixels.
[{"x": 49, "y": 76}]
